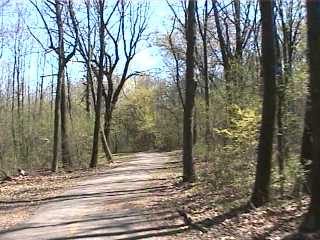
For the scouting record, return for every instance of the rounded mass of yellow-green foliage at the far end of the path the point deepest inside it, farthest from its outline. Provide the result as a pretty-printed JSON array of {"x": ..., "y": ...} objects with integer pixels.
[{"x": 144, "y": 119}]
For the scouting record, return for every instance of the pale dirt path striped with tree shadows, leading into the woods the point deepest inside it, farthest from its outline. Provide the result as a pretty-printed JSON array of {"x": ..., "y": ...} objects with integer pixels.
[{"x": 113, "y": 205}]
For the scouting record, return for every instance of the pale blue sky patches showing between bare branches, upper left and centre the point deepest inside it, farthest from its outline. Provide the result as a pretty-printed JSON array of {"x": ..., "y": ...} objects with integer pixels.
[{"x": 39, "y": 61}]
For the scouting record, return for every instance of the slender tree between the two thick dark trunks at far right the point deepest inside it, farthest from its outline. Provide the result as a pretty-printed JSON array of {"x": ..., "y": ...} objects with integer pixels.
[{"x": 290, "y": 15}]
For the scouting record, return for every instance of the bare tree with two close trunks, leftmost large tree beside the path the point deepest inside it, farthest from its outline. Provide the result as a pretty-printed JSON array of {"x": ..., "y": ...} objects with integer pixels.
[{"x": 57, "y": 8}]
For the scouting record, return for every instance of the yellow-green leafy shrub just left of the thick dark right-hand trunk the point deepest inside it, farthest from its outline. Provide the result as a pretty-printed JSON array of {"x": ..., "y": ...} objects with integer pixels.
[{"x": 233, "y": 162}]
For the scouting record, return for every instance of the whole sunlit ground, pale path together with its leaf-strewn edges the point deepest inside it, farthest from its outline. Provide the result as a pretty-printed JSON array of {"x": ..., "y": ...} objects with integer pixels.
[{"x": 139, "y": 196}]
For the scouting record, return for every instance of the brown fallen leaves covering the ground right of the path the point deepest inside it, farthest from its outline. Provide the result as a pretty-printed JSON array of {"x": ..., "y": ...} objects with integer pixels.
[{"x": 219, "y": 212}]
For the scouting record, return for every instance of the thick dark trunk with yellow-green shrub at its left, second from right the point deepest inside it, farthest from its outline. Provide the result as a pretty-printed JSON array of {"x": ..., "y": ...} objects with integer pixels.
[{"x": 260, "y": 193}]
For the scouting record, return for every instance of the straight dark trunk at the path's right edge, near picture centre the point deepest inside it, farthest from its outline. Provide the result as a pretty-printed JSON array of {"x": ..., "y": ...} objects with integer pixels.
[{"x": 190, "y": 85}]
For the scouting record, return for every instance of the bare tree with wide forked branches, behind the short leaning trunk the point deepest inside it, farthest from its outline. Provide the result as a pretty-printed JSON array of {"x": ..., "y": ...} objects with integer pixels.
[{"x": 133, "y": 20}]
